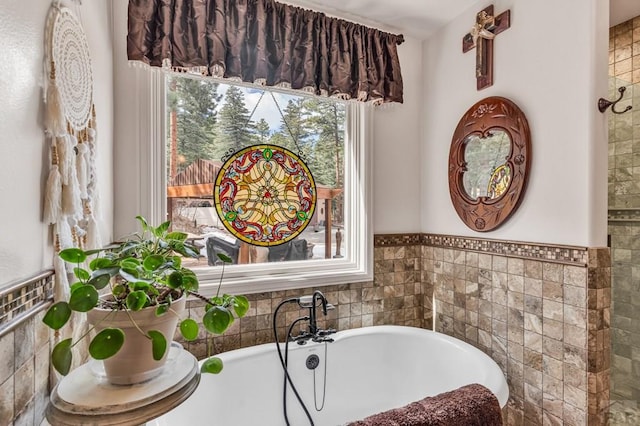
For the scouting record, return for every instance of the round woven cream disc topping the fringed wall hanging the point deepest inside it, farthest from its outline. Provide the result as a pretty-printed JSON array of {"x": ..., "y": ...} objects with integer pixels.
[{"x": 70, "y": 54}]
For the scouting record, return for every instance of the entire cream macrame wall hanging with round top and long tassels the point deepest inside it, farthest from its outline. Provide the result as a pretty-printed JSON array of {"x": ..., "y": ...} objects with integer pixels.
[{"x": 70, "y": 125}]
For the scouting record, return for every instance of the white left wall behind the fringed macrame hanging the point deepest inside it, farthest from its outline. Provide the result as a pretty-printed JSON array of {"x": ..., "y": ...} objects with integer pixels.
[{"x": 25, "y": 242}]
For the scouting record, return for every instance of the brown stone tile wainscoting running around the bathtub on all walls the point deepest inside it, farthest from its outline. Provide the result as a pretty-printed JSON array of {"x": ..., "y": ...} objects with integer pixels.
[{"x": 541, "y": 311}]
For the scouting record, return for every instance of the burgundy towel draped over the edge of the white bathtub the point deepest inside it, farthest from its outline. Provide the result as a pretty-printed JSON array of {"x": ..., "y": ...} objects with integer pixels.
[{"x": 471, "y": 405}]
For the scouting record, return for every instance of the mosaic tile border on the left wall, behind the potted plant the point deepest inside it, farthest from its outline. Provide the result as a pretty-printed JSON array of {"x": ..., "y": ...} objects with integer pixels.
[{"x": 24, "y": 298}]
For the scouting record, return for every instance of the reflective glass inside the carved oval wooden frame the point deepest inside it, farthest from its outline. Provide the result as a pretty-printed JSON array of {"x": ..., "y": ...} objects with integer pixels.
[{"x": 488, "y": 174}]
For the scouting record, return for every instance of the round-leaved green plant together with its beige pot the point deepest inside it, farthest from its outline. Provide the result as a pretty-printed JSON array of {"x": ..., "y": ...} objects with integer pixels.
[{"x": 134, "y": 293}]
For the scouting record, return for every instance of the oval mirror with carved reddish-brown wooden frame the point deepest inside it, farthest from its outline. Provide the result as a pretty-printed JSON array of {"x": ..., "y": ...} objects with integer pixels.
[{"x": 489, "y": 163}]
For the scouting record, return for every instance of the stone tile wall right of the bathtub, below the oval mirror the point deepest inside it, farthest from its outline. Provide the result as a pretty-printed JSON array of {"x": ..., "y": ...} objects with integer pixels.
[{"x": 546, "y": 323}]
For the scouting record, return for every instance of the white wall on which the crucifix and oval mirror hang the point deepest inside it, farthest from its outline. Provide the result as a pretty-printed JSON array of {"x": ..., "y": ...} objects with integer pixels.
[{"x": 552, "y": 63}]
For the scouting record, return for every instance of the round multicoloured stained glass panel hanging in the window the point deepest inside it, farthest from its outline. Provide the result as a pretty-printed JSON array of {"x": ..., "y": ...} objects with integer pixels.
[{"x": 265, "y": 195}]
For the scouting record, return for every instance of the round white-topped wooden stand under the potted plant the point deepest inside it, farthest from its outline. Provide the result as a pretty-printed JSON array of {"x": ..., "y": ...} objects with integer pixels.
[{"x": 86, "y": 397}]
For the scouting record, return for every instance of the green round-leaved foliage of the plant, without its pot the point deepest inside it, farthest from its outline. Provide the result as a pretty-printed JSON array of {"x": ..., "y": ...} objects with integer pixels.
[{"x": 143, "y": 272}]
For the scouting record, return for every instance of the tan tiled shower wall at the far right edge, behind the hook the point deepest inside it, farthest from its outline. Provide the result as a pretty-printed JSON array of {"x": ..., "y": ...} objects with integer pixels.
[{"x": 624, "y": 222}]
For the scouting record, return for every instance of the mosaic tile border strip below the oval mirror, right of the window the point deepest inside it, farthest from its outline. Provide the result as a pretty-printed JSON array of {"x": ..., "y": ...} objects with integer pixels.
[{"x": 571, "y": 255}]
